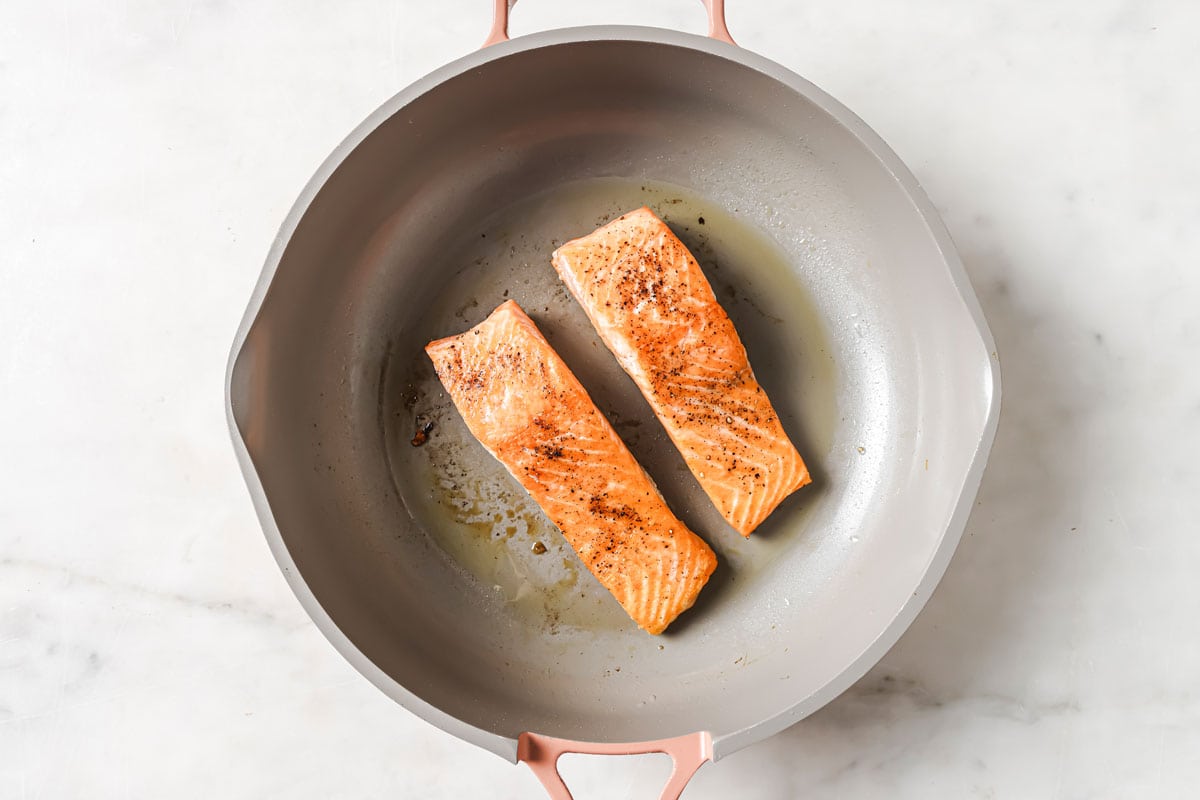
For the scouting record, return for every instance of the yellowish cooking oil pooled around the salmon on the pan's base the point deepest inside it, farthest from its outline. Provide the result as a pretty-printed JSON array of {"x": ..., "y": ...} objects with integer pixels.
[{"x": 469, "y": 504}]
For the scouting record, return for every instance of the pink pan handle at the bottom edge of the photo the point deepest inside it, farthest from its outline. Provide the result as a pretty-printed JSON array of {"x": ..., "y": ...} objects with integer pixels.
[{"x": 688, "y": 755}]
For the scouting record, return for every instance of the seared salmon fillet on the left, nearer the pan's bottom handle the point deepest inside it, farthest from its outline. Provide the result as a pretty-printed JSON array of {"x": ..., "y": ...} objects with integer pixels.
[{"x": 527, "y": 408}]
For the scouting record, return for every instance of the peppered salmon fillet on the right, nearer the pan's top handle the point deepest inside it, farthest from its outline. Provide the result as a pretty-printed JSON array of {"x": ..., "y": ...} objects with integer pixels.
[{"x": 655, "y": 309}]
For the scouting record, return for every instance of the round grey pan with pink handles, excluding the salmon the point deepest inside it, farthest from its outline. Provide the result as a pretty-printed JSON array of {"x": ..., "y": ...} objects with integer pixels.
[{"x": 431, "y": 572}]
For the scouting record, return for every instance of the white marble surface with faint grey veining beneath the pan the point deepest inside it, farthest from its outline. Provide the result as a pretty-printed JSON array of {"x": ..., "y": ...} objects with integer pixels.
[{"x": 149, "y": 648}]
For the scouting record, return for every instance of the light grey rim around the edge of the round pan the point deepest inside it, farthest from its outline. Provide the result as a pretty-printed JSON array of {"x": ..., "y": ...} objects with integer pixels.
[{"x": 725, "y": 743}]
